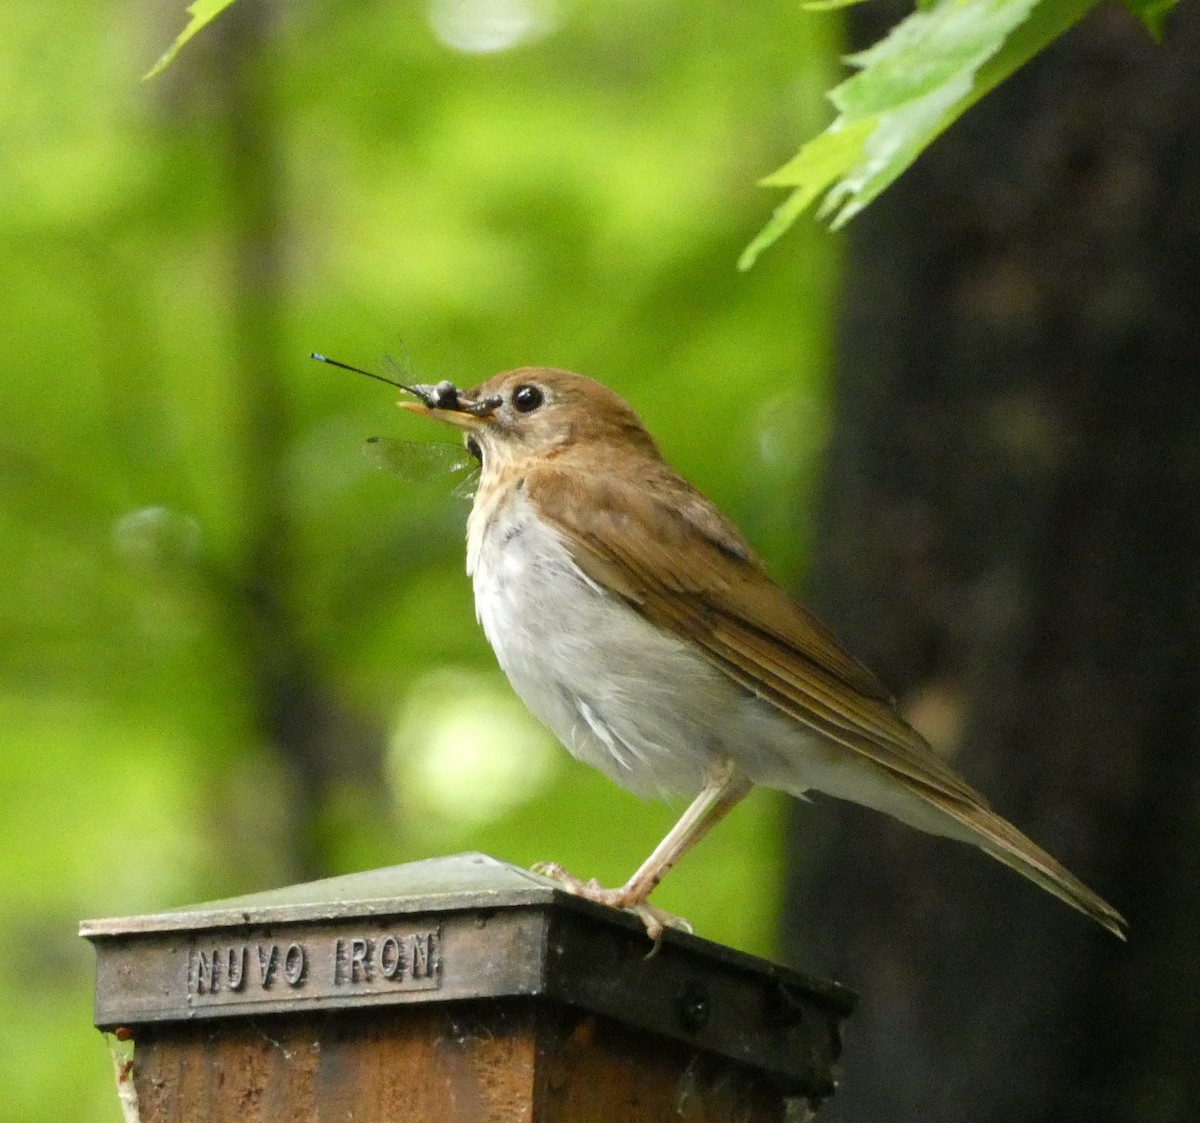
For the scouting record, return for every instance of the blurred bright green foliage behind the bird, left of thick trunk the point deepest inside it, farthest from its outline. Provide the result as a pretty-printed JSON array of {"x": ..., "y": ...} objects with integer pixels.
[{"x": 201, "y": 569}]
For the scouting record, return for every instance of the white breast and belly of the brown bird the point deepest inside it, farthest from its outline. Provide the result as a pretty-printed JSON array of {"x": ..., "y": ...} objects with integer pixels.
[{"x": 622, "y": 696}]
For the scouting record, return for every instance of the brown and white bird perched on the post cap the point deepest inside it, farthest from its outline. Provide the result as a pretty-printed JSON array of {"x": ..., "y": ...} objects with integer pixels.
[{"x": 638, "y": 623}]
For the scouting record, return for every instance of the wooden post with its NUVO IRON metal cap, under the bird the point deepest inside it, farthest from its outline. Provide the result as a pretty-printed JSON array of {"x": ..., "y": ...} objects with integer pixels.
[{"x": 457, "y": 989}]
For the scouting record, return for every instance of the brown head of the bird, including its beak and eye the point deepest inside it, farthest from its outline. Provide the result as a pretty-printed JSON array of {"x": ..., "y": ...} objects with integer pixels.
[{"x": 536, "y": 413}]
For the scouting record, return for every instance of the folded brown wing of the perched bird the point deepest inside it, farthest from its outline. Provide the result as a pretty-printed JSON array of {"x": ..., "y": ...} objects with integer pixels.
[{"x": 676, "y": 560}]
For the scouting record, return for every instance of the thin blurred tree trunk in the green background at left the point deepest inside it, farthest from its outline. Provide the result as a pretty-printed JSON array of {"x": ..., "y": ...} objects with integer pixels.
[{"x": 321, "y": 743}]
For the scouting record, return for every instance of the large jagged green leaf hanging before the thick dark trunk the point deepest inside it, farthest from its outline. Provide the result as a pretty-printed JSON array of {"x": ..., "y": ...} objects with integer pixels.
[{"x": 910, "y": 88}]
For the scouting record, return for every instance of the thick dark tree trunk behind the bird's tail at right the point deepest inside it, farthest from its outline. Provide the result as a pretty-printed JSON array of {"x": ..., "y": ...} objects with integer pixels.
[{"x": 1012, "y": 541}]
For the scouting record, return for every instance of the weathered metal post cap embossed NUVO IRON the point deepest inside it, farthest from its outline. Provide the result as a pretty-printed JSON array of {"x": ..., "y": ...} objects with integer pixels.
[{"x": 460, "y": 929}]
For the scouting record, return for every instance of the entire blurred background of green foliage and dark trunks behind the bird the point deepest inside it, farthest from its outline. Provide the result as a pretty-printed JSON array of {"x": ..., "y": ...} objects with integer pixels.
[{"x": 235, "y": 654}]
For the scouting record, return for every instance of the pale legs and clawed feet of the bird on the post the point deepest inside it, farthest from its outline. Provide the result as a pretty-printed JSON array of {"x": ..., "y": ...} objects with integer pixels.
[{"x": 724, "y": 789}]
